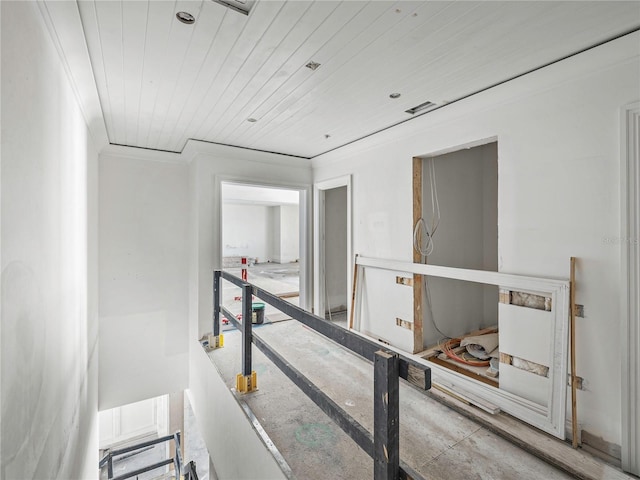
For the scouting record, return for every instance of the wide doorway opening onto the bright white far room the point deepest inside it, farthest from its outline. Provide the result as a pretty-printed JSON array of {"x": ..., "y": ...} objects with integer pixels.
[{"x": 261, "y": 234}]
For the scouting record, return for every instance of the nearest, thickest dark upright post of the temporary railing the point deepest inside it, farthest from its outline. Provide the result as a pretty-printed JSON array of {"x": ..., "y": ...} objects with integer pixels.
[{"x": 386, "y": 416}]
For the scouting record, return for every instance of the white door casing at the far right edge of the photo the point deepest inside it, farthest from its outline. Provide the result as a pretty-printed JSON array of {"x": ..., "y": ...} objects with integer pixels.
[{"x": 630, "y": 271}]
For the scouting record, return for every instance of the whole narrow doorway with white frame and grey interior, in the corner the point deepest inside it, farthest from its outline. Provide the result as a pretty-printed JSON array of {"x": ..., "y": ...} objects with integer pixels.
[{"x": 332, "y": 259}]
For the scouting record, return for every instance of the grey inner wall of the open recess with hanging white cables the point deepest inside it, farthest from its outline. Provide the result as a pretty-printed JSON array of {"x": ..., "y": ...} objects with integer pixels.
[{"x": 466, "y": 237}]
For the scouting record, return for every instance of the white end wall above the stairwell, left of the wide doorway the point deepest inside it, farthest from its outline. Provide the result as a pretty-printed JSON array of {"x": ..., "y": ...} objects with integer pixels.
[{"x": 143, "y": 277}]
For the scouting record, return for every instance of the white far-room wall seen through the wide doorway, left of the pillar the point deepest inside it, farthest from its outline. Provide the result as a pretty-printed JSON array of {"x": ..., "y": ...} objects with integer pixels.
[{"x": 246, "y": 231}]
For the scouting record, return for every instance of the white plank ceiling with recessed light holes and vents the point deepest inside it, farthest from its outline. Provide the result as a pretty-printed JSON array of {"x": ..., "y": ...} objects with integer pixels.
[{"x": 161, "y": 82}]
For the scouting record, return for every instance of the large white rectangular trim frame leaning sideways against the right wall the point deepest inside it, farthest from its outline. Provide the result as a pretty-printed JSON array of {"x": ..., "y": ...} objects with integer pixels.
[{"x": 551, "y": 418}]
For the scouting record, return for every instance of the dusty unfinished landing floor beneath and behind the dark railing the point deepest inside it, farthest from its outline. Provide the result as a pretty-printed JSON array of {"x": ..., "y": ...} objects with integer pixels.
[{"x": 435, "y": 440}]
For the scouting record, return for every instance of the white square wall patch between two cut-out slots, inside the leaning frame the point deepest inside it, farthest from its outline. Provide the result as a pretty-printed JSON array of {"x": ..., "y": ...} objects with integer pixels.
[{"x": 526, "y": 333}]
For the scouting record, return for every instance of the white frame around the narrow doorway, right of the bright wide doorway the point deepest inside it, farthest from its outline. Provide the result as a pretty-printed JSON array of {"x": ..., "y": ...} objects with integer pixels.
[{"x": 319, "y": 190}]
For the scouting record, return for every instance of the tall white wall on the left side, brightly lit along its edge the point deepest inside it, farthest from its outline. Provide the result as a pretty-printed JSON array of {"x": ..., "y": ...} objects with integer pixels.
[{"x": 49, "y": 323}]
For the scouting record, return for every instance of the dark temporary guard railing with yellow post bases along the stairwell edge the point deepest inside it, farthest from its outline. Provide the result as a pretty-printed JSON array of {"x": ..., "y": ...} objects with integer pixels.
[{"x": 389, "y": 367}]
